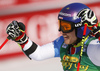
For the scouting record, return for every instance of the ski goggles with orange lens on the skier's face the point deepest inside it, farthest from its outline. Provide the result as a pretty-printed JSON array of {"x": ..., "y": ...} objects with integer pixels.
[{"x": 65, "y": 26}]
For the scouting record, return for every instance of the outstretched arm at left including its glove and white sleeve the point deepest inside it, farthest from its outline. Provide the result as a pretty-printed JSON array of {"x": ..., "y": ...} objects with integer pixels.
[{"x": 16, "y": 32}]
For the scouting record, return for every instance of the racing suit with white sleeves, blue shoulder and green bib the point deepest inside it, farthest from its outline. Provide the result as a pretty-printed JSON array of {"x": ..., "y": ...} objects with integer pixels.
[{"x": 69, "y": 57}]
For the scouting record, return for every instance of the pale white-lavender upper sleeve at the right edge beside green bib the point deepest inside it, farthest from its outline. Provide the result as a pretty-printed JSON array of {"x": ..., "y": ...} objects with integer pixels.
[{"x": 93, "y": 51}]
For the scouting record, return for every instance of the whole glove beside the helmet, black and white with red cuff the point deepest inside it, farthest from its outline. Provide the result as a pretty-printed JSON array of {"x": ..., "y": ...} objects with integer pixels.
[{"x": 89, "y": 18}]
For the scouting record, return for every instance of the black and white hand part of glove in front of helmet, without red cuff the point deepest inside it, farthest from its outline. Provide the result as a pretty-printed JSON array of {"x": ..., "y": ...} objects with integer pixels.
[{"x": 88, "y": 16}]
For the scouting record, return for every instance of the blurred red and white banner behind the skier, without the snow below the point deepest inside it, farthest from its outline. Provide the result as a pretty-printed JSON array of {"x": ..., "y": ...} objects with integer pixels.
[{"x": 41, "y": 24}]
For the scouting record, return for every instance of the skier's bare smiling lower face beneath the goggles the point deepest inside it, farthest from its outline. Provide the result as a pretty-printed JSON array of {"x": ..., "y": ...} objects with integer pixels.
[{"x": 69, "y": 38}]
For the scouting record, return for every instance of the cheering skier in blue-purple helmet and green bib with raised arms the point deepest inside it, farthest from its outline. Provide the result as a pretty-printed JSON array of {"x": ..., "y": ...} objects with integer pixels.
[{"x": 68, "y": 46}]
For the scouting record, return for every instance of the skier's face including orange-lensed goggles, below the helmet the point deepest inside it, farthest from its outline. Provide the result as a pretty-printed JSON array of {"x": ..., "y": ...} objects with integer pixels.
[{"x": 68, "y": 32}]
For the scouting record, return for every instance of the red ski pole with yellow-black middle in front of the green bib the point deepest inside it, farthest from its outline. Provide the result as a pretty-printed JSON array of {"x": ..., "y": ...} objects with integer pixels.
[{"x": 82, "y": 46}]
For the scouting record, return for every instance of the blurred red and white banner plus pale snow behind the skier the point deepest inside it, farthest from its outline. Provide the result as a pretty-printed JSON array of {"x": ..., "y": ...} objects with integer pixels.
[{"x": 40, "y": 19}]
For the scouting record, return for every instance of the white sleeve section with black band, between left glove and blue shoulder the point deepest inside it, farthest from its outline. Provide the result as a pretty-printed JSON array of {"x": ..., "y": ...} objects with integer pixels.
[{"x": 40, "y": 53}]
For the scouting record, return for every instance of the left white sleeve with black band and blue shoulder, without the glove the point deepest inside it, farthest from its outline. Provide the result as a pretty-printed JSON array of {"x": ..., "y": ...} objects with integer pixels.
[{"x": 49, "y": 50}]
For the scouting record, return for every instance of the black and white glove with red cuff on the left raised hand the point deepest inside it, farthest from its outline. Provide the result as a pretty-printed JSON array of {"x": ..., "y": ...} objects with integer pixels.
[{"x": 16, "y": 32}]
